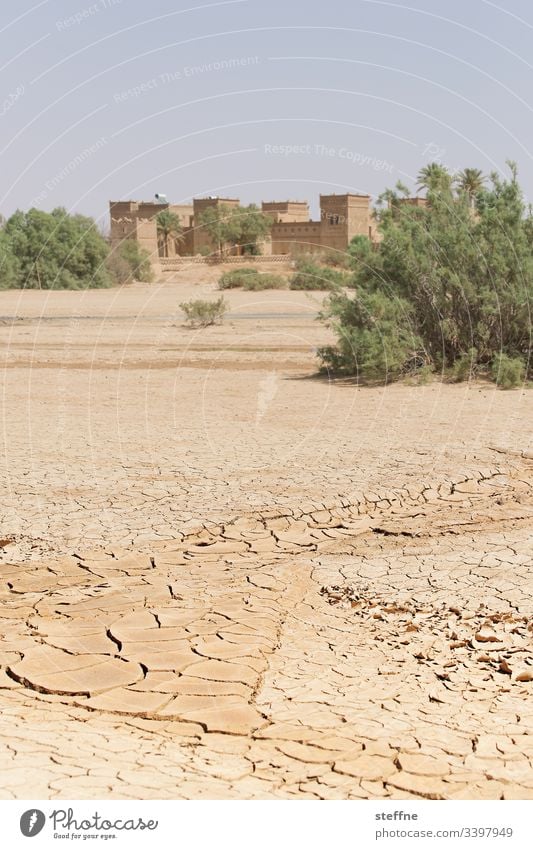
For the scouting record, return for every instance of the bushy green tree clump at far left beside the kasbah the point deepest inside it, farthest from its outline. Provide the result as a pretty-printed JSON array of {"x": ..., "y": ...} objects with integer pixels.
[{"x": 56, "y": 250}]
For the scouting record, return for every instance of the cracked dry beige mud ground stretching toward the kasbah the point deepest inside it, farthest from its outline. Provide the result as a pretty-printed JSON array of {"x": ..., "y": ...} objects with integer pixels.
[{"x": 224, "y": 577}]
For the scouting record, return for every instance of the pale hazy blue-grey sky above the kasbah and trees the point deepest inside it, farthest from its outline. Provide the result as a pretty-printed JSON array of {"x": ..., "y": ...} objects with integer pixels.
[{"x": 115, "y": 99}]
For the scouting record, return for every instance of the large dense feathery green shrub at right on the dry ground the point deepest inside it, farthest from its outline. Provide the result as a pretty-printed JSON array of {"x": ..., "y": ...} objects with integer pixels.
[{"x": 463, "y": 275}]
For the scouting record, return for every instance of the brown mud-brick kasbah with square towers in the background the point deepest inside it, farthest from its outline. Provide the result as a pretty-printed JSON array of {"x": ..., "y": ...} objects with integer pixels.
[{"x": 342, "y": 217}]
